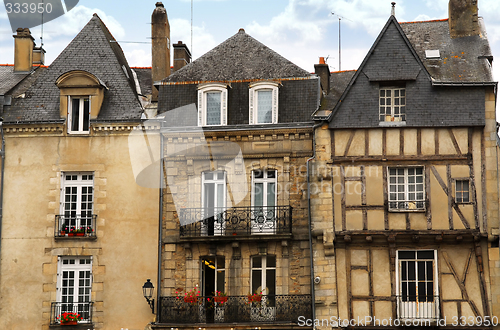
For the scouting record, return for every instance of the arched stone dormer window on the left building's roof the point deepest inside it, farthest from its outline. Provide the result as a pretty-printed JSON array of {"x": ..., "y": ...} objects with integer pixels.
[{"x": 81, "y": 97}]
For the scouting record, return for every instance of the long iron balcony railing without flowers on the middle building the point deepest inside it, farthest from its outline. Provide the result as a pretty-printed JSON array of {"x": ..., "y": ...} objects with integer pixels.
[{"x": 252, "y": 220}]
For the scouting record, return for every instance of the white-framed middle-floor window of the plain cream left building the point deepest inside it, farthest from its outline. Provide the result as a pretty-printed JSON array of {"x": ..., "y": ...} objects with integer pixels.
[{"x": 77, "y": 201}]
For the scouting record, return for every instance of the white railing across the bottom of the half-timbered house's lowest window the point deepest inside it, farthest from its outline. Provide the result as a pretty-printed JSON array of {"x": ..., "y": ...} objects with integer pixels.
[{"x": 421, "y": 307}]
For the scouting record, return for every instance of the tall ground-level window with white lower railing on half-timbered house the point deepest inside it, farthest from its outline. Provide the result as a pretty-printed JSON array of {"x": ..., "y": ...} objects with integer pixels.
[{"x": 417, "y": 284}]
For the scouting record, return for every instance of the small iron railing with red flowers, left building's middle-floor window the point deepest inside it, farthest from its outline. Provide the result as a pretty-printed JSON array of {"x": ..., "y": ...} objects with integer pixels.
[{"x": 75, "y": 226}]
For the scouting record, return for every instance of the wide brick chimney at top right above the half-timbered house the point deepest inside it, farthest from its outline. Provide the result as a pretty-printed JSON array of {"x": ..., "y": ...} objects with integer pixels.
[{"x": 463, "y": 20}]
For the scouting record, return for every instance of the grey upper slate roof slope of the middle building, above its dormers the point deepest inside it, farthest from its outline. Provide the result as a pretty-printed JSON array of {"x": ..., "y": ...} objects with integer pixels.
[{"x": 239, "y": 57}]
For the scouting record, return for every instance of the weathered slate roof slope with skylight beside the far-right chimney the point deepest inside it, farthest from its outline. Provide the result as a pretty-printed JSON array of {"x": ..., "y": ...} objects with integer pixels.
[{"x": 463, "y": 59}]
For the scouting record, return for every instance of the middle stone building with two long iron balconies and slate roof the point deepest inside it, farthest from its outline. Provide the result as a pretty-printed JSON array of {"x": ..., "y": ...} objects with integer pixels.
[{"x": 237, "y": 134}]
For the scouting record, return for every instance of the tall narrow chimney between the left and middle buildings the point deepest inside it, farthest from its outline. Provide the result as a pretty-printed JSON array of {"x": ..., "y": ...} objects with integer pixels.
[{"x": 160, "y": 33}]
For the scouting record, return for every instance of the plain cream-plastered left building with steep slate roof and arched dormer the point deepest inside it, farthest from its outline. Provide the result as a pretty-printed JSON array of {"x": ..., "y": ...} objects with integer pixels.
[{"x": 72, "y": 209}]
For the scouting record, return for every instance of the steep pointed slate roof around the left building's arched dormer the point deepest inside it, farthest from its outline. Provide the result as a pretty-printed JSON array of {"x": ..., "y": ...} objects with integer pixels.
[{"x": 93, "y": 50}]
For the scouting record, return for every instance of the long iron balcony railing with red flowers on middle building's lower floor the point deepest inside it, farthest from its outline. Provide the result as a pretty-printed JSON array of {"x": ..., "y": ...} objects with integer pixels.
[{"x": 235, "y": 309}]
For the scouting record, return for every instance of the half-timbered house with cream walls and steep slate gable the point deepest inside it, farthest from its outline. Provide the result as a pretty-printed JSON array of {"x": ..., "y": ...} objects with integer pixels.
[{"x": 407, "y": 167}]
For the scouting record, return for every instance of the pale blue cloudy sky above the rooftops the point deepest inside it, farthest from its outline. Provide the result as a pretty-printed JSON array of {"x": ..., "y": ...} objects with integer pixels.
[{"x": 300, "y": 30}]
